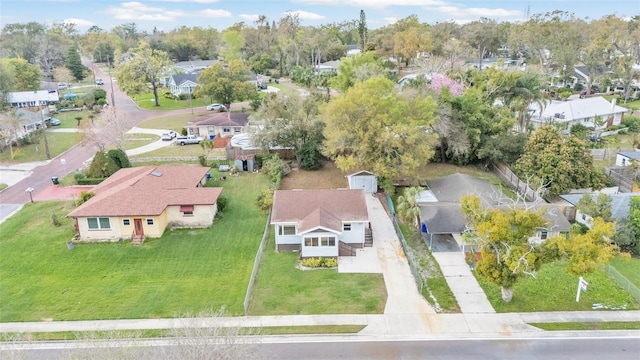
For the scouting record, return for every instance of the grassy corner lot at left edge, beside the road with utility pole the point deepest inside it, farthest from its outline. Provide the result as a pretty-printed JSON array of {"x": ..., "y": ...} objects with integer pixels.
[{"x": 58, "y": 143}]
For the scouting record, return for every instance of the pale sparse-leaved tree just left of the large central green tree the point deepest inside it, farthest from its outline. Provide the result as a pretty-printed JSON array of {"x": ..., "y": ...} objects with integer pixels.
[{"x": 291, "y": 122}]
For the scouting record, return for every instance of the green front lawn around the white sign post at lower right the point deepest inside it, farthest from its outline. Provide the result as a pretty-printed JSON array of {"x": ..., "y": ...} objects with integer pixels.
[{"x": 554, "y": 289}]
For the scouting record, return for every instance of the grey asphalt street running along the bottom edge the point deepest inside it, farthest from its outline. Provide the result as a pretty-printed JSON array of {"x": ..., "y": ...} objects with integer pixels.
[{"x": 583, "y": 348}]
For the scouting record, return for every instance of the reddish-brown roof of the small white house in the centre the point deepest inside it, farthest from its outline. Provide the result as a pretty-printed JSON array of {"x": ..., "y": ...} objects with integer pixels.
[{"x": 319, "y": 207}]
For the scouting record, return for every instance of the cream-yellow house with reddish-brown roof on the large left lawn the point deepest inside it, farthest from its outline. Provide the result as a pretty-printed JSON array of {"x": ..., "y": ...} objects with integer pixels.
[{"x": 140, "y": 202}]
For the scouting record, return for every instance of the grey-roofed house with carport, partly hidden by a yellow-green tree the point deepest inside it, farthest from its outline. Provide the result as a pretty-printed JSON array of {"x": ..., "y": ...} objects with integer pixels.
[{"x": 441, "y": 213}]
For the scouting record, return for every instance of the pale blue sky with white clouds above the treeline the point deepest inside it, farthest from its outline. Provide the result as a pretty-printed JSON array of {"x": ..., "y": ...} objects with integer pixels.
[{"x": 166, "y": 15}]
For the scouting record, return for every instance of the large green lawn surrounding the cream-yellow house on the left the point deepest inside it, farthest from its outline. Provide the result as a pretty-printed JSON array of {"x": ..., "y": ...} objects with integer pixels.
[{"x": 185, "y": 271}]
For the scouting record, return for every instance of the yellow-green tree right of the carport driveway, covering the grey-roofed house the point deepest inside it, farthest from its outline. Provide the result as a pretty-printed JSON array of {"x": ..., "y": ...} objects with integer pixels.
[{"x": 502, "y": 235}]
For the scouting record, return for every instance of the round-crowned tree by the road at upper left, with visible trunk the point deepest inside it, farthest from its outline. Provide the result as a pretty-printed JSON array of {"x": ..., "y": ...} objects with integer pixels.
[{"x": 146, "y": 67}]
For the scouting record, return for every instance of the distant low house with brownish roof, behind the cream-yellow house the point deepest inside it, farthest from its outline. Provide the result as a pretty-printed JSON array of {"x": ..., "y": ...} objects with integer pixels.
[{"x": 219, "y": 124}]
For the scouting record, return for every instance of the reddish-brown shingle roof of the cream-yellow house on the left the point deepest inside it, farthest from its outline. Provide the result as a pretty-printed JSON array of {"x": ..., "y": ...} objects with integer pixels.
[{"x": 147, "y": 191}]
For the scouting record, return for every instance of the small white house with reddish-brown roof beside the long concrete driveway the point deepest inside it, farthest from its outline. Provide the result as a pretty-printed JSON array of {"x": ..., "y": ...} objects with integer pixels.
[{"x": 320, "y": 222}]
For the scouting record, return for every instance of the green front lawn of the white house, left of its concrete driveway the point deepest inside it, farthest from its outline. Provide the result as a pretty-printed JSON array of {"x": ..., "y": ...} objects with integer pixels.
[{"x": 282, "y": 289}]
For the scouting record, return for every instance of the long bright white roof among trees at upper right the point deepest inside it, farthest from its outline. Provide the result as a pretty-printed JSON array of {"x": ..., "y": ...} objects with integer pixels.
[{"x": 578, "y": 109}]
